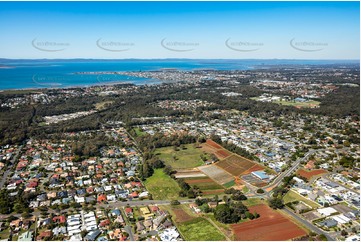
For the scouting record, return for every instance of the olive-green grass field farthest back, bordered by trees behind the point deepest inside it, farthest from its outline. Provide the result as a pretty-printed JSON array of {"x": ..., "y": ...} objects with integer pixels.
[{"x": 180, "y": 159}]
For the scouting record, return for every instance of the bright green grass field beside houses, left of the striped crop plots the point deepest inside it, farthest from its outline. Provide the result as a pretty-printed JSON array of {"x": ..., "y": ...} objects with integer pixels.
[{"x": 161, "y": 186}]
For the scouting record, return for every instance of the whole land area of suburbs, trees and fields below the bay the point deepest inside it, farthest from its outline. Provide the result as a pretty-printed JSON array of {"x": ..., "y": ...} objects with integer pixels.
[{"x": 265, "y": 154}]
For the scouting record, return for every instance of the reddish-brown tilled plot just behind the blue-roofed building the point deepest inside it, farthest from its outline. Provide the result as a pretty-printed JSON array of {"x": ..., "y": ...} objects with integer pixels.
[{"x": 237, "y": 165}]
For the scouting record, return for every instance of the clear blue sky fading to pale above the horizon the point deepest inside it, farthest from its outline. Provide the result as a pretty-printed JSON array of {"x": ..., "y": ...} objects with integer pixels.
[{"x": 198, "y": 30}]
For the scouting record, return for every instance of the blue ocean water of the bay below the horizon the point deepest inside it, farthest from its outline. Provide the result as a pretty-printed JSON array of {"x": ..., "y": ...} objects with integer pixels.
[{"x": 24, "y": 74}]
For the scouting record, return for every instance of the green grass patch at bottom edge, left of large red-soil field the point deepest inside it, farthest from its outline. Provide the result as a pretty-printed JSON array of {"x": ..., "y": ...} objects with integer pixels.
[{"x": 199, "y": 229}]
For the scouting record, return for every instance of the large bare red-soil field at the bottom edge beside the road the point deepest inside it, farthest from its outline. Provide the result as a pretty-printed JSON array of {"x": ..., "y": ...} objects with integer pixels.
[{"x": 270, "y": 226}]
